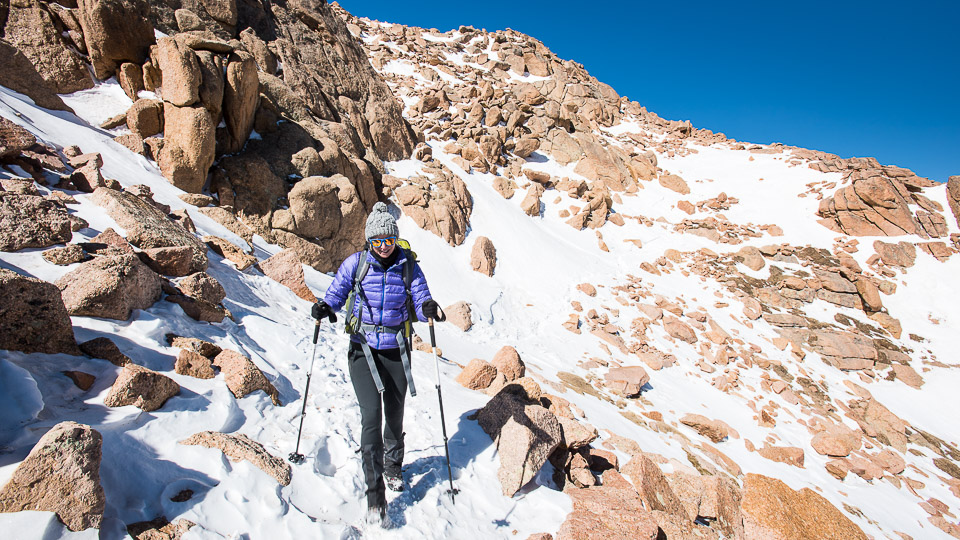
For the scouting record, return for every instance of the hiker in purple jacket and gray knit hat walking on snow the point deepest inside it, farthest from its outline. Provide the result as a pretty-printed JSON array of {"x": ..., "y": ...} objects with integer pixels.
[{"x": 386, "y": 299}]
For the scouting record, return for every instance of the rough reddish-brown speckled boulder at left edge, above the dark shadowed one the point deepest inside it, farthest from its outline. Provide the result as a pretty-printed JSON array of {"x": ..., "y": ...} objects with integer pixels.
[{"x": 30, "y": 221}]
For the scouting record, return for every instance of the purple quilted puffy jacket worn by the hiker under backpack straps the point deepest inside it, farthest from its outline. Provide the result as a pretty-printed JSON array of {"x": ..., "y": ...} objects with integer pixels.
[{"x": 384, "y": 299}]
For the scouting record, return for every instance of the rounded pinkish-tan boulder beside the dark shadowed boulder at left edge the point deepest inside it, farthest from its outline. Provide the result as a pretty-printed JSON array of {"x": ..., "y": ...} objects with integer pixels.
[{"x": 109, "y": 287}]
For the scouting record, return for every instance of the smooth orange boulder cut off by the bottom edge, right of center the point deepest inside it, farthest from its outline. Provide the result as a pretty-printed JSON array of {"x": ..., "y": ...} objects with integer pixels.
[{"x": 772, "y": 510}]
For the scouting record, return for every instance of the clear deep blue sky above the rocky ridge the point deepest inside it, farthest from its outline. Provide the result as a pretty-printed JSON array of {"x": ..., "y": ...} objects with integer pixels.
[{"x": 854, "y": 78}]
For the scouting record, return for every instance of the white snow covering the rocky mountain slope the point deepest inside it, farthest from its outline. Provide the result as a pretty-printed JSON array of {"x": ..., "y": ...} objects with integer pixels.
[{"x": 541, "y": 260}]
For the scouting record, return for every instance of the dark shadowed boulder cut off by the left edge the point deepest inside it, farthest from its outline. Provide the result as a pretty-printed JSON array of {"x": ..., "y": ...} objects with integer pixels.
[{"x": 33, "y": 317}]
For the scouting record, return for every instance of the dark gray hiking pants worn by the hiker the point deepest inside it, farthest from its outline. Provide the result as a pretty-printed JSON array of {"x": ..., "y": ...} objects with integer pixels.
[{"x": 381, "y": 443}]
